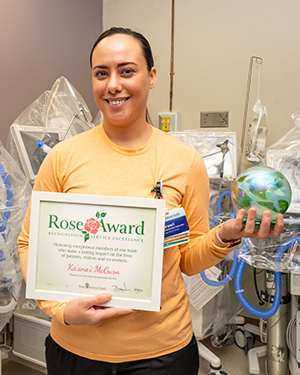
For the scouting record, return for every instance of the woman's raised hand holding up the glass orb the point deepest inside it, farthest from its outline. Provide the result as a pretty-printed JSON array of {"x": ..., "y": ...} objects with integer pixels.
[{"x": 234, "y": 229}]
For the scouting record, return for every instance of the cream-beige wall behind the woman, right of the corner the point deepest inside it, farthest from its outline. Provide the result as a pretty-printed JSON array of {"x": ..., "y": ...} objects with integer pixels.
[{"x": 214, "y": 40}]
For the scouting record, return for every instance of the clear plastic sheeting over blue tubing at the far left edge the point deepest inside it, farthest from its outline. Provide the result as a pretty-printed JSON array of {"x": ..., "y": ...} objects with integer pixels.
[{"x": 14, "y": 197}]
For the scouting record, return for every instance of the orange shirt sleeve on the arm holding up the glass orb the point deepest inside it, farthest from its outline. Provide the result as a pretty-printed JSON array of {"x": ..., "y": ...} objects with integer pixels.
[{"x": 201, "y": 252}]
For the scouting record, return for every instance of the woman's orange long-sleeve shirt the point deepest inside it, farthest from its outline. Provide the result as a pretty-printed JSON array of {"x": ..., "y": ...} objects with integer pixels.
[{"x": 89, "y": 163}]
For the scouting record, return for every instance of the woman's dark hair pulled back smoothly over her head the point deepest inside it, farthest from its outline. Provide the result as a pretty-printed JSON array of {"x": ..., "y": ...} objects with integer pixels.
[{"x": 121, "y": 30}]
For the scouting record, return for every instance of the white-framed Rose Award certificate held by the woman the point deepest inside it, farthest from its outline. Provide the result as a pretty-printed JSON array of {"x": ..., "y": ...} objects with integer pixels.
[{"x": 82, "y": 245}]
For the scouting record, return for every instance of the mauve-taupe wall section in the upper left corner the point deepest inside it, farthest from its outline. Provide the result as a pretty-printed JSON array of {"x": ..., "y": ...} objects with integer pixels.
[{"x": 42, "y": 40}]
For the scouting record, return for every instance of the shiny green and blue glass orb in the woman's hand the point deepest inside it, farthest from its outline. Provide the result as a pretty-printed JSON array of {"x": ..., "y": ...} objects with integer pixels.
[{"x": 264, "y": 188}]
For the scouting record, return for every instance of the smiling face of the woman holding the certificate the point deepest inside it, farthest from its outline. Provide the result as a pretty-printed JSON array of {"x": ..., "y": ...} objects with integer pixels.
[{"x": 121, "y": 80}]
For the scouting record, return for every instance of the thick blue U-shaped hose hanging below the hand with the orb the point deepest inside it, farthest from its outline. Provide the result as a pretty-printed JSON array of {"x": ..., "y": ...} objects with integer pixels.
[{"x": 277, "y": 275}]
